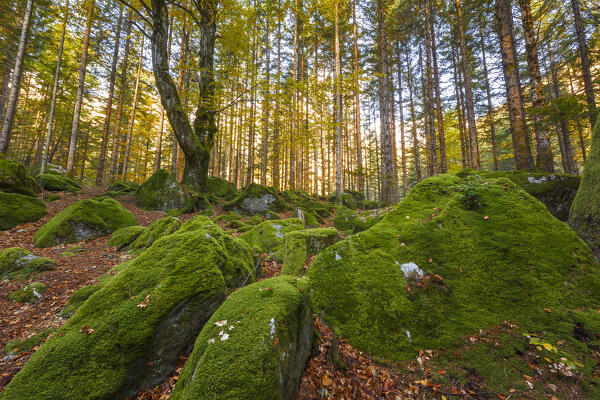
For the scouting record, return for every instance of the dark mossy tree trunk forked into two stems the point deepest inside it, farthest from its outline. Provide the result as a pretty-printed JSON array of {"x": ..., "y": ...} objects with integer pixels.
[{"x": 196, "y": 143}]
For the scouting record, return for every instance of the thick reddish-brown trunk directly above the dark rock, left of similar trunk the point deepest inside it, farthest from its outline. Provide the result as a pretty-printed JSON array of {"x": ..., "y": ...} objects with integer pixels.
[{"x": 513, "y": 86}]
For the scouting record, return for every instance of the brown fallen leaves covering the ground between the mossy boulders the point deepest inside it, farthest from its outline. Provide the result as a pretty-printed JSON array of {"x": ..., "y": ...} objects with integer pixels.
[{"x": 362, "y": 377}]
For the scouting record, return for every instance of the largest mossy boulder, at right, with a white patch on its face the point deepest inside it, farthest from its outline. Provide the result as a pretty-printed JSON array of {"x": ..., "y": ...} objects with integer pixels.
[{"x": 436, "y": 269}]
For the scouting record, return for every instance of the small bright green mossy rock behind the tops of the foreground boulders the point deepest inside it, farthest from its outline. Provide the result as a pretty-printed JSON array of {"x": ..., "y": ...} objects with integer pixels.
[{"x": 268, "y": 235}]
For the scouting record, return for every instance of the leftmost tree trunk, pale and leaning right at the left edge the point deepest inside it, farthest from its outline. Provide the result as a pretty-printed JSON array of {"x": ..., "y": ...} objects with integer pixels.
[{"x": 13, "y": 96}]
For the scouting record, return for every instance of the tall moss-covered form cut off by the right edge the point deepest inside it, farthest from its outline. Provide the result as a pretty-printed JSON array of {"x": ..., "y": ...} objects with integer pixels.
[{"x": 585, "y": 212}]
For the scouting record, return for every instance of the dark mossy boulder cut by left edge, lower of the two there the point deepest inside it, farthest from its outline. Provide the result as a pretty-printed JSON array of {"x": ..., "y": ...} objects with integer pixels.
[{"x": 16, "y": 209}]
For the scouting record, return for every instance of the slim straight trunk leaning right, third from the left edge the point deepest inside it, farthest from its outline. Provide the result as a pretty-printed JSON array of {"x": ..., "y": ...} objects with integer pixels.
[{"x": 80, "y": 87}]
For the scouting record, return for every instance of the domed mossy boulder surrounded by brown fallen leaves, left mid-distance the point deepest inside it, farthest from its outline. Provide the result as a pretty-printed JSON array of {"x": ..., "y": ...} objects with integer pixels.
[{"x": 86, "y": 219}]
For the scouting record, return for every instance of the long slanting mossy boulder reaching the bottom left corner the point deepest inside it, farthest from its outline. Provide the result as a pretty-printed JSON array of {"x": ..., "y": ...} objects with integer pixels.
[{"x": 130, "y": 333}]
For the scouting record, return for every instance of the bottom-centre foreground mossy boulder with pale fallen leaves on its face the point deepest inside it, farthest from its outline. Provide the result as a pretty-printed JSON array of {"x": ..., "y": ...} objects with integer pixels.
[{"x": 254, "y": 346}]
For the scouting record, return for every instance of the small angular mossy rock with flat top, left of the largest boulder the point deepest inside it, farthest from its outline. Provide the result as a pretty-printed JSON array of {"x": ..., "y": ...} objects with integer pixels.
[{"x": 299, "y": 245}]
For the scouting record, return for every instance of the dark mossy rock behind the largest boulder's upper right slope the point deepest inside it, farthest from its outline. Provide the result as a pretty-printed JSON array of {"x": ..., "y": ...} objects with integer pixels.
[{"x": 557, "y": 191}]
